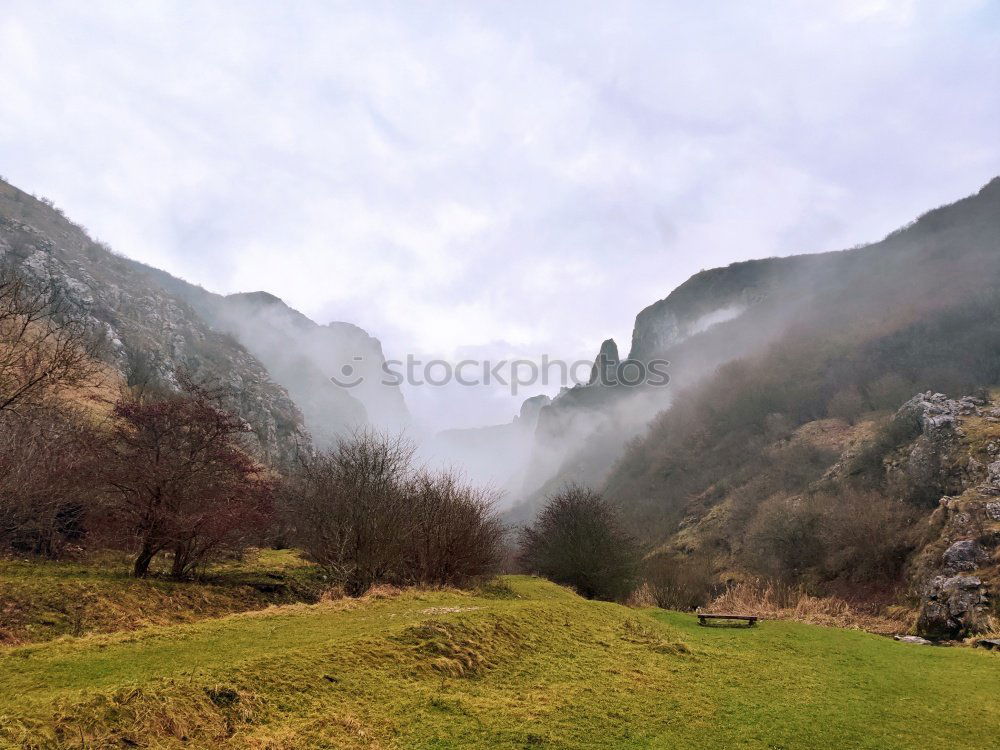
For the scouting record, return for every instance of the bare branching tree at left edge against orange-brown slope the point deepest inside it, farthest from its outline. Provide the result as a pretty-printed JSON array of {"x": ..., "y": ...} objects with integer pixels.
[{"x": 43, "y": 346}]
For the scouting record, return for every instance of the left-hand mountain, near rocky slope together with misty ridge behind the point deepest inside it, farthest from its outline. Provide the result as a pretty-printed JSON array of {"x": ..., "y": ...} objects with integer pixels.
[{"x": 274, "y": 361}]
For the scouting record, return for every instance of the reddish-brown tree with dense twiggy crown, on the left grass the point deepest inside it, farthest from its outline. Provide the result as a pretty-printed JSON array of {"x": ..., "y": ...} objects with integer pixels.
[{"x": 180, "y": 481}]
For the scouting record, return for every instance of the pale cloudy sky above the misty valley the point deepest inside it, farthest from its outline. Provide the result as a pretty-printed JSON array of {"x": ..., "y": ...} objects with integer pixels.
[{"x": 492, "y": 179}]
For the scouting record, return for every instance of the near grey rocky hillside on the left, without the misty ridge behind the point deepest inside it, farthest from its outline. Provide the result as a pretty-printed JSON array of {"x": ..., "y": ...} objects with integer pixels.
[{"x": 146, "y": 328}]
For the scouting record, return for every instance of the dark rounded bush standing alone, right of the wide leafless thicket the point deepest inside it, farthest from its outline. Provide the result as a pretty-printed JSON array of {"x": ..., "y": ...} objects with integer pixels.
[{"x": 578, "y": 540}]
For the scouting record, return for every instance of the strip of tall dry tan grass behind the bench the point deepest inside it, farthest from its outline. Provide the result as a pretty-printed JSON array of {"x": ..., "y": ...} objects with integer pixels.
[{"x": 771, "y": 601}]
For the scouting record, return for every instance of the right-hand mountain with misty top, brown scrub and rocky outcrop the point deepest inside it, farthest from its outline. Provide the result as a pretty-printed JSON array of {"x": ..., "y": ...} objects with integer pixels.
[{"x": 790, "y": 443}]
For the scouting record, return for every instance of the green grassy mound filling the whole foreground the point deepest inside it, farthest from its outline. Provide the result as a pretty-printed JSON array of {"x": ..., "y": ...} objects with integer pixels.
[{"x": 451, "y": 669}]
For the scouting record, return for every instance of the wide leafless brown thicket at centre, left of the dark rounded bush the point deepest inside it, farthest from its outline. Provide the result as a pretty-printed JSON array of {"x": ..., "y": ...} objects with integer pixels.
[{"x": 364, "y": 514}]
